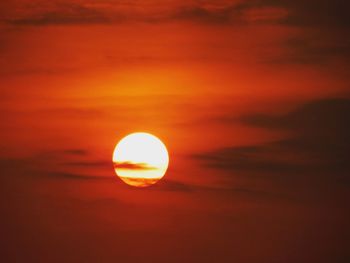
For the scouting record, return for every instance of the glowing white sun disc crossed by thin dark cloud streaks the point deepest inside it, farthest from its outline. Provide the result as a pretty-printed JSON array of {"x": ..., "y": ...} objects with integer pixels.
[{"x": 140, "y": 159}]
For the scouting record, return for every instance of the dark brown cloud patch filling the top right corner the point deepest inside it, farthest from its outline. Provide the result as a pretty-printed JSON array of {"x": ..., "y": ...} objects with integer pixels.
[{"x": 325, "y": 34}]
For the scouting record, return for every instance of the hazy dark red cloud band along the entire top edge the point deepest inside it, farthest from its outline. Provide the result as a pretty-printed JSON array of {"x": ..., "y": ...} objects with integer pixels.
[{"x": 301, "y": 13}]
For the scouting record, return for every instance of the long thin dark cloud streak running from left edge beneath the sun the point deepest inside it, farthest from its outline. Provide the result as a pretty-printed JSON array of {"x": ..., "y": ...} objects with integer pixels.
[{"x": 31, "y": 169}]
